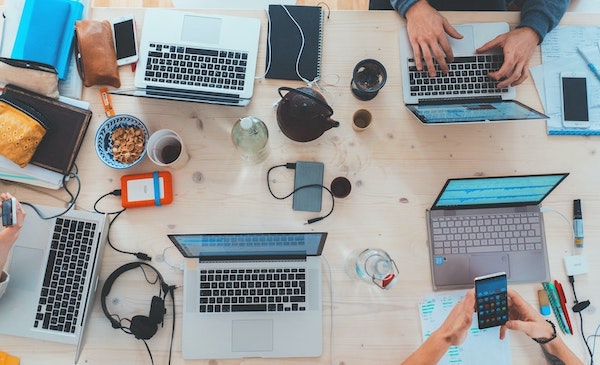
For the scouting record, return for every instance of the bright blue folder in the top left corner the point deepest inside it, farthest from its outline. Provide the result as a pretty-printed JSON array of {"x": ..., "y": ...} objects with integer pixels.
[{"x": 46, "y": 32}]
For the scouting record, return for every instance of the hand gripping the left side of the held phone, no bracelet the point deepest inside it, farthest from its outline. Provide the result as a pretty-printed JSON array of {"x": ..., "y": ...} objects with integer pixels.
[{"x": 456, "y": 326}]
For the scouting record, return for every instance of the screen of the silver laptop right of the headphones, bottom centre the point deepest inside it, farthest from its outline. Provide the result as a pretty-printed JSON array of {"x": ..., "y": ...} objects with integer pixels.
[{"x": 249, "y": 245}]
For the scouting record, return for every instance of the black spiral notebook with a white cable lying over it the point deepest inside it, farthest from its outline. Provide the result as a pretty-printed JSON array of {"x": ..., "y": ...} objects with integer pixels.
[{"x": 284, "y": 42}]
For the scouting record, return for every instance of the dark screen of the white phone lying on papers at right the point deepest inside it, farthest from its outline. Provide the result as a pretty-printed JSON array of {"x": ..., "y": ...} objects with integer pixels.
[{"x": 575, "y": 103}]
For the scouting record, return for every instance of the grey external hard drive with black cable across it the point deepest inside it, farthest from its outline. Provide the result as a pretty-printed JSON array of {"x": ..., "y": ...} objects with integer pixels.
[{"x": 306, "y": 174}]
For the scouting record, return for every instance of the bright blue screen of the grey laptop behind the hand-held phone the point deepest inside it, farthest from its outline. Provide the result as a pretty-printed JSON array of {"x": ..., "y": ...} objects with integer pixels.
[{"x": 497, "y": 191}]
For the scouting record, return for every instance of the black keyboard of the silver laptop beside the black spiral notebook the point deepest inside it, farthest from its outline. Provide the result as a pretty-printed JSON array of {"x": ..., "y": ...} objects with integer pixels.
[{"x": 179, "y": 65}]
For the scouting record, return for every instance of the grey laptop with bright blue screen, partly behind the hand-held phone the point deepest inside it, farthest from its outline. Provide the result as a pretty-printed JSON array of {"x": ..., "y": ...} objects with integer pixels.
[{"x": 483, "y": 225}]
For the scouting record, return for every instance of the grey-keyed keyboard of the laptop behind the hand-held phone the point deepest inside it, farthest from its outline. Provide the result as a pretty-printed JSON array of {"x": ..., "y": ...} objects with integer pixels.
[{"x": 489, "y": 233}]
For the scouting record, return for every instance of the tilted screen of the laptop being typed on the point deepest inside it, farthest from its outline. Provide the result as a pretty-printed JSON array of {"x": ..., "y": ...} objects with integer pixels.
[{"x": 480, "y": 111}]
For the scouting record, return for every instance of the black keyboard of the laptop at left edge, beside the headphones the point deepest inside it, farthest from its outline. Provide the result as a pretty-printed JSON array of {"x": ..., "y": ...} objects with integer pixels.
[{"x": 66, "y": 271}]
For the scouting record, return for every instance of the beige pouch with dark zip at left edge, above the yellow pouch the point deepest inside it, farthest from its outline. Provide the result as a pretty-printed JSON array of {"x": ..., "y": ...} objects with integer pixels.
[{"x": 34, "y": 76}]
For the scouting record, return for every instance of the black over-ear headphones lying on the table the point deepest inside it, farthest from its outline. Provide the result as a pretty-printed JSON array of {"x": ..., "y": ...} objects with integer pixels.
[{"x": 141, "y": 326}]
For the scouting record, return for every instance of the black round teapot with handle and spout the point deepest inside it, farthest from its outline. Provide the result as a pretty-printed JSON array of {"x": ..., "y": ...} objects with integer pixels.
[{"x": 303, "y": 114}]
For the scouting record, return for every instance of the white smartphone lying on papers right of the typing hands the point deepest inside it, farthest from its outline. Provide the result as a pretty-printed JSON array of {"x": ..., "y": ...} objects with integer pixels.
[{"x": 574, "y": 95}]
